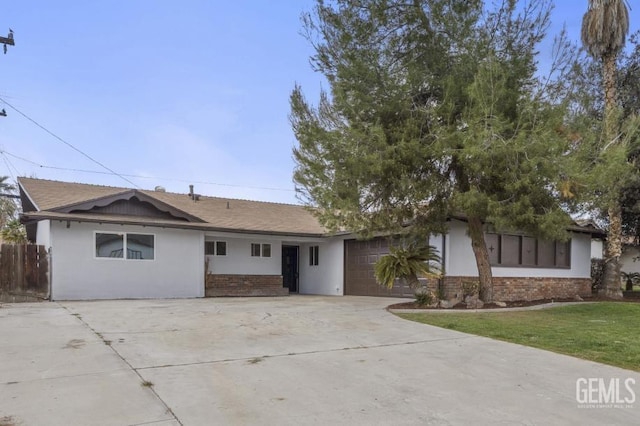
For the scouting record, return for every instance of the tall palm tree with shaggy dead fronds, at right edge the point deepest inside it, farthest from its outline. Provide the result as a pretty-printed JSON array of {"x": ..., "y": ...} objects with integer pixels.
[{"x": 604, "y": 30}]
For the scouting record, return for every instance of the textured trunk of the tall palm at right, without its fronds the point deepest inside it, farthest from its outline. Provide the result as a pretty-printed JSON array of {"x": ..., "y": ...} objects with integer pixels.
[{"x": 611, "y": 280}]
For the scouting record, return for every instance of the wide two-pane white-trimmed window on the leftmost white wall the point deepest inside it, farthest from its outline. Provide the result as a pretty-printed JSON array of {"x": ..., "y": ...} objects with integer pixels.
[{"x": 123, "y": 245}]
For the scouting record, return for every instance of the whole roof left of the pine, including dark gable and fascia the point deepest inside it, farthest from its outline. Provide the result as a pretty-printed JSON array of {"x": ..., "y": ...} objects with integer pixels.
[{"x": 46, "y": 199}]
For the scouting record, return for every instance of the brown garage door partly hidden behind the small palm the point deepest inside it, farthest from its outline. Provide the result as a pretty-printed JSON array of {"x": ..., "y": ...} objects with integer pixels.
[{"x": 360, "y": 257}]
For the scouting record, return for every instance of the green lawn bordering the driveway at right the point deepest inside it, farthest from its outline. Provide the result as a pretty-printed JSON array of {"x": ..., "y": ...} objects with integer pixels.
[{"x": 602, "y": 332}]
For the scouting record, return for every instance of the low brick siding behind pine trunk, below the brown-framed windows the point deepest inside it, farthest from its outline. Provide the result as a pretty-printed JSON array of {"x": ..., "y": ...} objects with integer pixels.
[{"x": 509, "y": 289}]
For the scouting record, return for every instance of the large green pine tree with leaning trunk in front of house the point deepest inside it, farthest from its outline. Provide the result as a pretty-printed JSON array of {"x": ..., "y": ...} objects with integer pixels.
[{"x": 435, "y": 109}]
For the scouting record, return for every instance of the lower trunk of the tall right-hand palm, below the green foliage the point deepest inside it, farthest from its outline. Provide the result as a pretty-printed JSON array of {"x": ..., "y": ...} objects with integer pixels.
[{"x": 611, "y": 280}]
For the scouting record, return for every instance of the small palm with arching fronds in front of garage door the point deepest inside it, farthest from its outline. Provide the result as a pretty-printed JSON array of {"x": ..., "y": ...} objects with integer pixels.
[{"x": 408, "y": 262}]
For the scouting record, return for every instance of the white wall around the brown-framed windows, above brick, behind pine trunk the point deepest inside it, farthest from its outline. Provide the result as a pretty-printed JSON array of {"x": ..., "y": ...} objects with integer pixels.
[{"x": 460, "y": 260}]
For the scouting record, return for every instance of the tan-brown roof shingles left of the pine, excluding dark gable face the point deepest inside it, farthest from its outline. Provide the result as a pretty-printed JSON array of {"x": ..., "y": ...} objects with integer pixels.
[{"x": 217, "y": 213}]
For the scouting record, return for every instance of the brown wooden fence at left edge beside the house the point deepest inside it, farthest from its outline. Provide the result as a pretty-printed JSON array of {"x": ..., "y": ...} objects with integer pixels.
[{"x": 24, "y": 273}]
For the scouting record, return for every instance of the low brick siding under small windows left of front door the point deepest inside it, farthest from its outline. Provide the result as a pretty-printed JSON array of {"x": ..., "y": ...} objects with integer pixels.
[{"x": 219, "y": 285}]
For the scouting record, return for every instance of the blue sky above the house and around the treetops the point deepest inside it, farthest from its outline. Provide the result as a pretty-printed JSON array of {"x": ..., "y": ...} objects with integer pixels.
[{"x": 189, "y": 91}]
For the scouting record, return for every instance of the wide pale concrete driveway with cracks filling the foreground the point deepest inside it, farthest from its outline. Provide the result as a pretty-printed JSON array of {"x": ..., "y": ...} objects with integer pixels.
[{"x": 300, "y": 360}]
